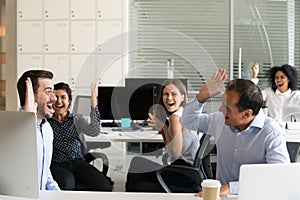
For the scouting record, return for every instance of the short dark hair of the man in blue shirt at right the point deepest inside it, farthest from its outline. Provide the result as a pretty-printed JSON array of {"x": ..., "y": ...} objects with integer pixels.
[{"x": 250, "y": 95}]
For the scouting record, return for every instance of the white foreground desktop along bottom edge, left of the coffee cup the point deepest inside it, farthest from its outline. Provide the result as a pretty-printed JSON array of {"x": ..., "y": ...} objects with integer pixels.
[{"x": 76, "y": 195}]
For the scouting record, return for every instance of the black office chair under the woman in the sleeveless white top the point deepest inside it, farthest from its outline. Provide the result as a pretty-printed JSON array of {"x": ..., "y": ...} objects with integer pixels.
[{"x": 200, "y": 170}]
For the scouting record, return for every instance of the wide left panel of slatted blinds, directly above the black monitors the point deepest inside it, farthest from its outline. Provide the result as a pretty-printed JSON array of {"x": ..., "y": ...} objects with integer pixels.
[{"x": 195, "y": 34}]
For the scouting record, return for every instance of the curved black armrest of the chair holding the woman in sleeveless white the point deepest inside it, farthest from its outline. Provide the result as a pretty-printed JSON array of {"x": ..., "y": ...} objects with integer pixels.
[{"x": 190, "y": 172}]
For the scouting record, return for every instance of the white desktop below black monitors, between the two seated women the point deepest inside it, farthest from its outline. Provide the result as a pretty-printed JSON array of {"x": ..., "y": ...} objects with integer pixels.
[{"x": 148, "y": 135}]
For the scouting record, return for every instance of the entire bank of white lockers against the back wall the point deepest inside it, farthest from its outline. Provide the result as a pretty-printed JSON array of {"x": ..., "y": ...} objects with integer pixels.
[{"x": 78, "y": 31}]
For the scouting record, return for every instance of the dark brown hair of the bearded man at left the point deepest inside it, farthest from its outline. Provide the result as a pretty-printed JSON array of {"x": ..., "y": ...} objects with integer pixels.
[{"x": 34, "y": 75}]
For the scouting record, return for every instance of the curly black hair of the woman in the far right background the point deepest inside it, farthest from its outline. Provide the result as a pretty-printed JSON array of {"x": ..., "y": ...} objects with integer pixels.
[{"x": 289, "y": 71}]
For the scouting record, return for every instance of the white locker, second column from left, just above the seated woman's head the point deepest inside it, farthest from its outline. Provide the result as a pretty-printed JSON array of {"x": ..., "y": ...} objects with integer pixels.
[{"x": 59, "y": 65}]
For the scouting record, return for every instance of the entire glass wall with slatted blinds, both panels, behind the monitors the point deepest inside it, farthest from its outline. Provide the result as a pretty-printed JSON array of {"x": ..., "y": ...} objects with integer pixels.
[{"x": 196, "y": 35}]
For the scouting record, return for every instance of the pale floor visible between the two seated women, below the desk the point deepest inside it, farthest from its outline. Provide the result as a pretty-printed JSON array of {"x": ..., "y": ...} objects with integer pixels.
[{"x": 119, "y": 161}]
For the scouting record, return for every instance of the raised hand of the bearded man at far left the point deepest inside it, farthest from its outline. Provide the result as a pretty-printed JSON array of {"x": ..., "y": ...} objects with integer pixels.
[{"x": 30, "y": 104}]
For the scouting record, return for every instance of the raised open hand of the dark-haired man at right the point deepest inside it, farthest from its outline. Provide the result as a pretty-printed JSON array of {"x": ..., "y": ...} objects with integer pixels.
[{"x": 211, "y": 86}]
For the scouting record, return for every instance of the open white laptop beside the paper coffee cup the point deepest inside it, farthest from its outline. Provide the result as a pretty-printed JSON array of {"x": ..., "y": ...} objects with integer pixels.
[{"x": 269, "y": 181}]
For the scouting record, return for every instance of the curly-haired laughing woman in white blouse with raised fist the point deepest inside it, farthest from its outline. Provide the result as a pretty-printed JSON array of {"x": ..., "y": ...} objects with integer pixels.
[{"x": 282, "y": 92}]
